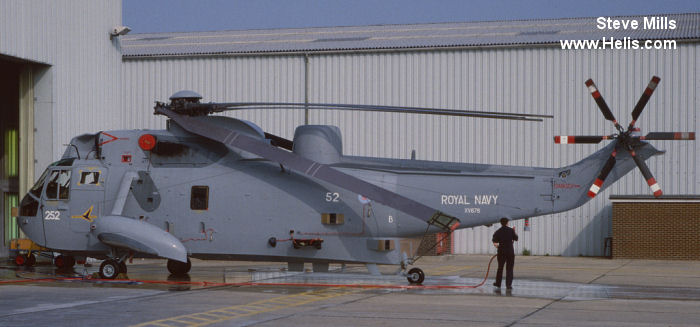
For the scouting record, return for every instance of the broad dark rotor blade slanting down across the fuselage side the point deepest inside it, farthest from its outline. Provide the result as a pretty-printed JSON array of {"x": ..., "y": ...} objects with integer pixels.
[{"x": 233, "y": 139}]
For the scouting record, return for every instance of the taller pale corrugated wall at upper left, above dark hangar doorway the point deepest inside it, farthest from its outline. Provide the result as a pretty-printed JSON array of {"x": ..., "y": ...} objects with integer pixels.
[{"x": 78, "y": 67}]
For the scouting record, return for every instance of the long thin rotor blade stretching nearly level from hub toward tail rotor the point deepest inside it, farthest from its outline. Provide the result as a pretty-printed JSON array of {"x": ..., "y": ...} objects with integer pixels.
[{"x": 219, "y": 107}]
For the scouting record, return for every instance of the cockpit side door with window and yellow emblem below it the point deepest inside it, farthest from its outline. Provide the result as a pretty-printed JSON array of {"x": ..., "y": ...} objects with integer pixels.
[{"x": 87, "y": 200}]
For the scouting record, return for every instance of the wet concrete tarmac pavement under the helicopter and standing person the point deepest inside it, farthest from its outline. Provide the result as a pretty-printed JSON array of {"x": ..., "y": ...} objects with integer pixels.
[{"x": 548, "y": 290}]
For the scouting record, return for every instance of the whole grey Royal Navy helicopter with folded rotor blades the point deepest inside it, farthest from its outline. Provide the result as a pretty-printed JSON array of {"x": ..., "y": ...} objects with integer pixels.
[{"x": 215, "y": 187}]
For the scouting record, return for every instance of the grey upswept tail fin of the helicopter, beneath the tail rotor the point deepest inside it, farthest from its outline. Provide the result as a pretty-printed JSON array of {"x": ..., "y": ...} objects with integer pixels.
[{"x": 572, "y": 183}]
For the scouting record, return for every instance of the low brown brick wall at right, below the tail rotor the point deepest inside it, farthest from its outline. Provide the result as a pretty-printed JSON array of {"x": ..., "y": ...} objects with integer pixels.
[{"x": 656, "y": 230}]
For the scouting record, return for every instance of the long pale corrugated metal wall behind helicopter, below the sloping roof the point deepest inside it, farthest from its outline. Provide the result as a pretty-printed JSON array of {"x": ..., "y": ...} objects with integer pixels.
[{"x": 542, "y": 80}]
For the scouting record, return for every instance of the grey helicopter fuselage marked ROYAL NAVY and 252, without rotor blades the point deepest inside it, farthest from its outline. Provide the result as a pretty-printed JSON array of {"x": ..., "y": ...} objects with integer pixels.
[{"x": 224, "y": 204}]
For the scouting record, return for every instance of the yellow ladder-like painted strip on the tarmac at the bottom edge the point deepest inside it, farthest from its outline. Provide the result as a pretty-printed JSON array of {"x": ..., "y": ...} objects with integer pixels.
[{"x": 250, "y": 309}]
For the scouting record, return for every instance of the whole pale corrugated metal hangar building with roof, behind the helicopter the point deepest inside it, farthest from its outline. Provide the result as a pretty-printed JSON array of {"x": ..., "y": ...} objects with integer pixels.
[{"x": 68, "y": 77}]
